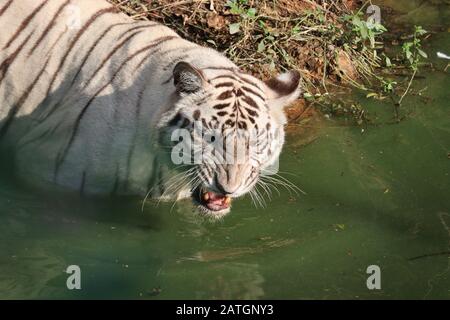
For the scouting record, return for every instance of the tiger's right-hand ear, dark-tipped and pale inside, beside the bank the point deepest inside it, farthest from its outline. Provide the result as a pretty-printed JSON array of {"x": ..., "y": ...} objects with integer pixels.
[{"x": 283, "y": 89}]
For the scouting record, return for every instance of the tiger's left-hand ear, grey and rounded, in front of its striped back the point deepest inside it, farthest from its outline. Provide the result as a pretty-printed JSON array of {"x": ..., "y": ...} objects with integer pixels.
[{"x": 187, "y": 78}]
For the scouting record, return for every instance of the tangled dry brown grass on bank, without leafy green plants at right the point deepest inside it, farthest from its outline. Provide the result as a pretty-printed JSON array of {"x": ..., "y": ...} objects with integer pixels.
[{"x": 273, "y": 36}]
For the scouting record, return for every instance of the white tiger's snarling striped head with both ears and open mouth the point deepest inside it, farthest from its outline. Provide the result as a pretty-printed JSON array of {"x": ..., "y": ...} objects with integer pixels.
[{"x": 226, "y": 131}]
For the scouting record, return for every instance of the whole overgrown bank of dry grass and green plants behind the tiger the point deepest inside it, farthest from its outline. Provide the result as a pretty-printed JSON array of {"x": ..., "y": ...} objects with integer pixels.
[{"x": 331, "y": 46}]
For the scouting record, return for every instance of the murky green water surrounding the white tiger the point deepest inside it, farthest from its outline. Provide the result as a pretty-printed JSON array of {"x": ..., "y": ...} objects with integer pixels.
[{"x": 377, "y": 197}]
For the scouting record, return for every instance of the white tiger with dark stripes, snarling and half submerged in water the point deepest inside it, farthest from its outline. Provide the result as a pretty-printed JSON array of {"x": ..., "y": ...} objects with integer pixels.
[{"x": 88, "y": 95}]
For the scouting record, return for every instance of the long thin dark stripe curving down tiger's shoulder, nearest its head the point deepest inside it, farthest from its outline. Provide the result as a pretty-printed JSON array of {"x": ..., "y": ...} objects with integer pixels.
[{"x": 62, "y": 156}]
